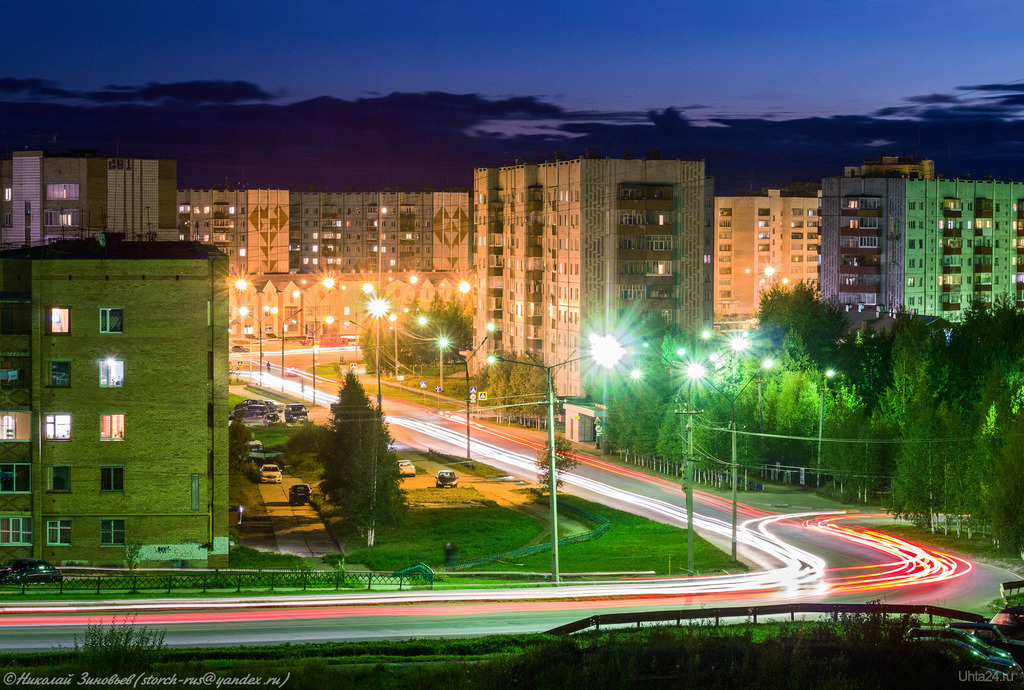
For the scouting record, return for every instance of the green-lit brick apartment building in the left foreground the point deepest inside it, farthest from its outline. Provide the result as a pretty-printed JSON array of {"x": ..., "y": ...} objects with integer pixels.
[{"x": 114, "y": 403}]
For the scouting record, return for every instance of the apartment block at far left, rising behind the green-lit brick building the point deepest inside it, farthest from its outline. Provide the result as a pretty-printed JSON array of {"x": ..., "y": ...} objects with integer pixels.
[{"x": 49, "y": 197}]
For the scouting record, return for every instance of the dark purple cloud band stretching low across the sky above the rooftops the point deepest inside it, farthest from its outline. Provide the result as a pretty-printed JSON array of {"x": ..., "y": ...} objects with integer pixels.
[{"x": 232, "y": 133}]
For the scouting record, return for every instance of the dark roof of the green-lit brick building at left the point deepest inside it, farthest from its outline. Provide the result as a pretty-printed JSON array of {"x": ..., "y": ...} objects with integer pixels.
[{"x": 113, "y": 246}]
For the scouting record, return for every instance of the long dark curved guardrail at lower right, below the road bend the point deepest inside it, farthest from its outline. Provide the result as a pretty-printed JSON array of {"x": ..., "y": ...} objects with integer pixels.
[{"x": 754, "y": 612}]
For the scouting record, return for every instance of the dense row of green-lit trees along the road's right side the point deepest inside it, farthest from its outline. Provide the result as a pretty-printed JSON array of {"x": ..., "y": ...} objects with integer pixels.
[{"x": 928, "y": 416}]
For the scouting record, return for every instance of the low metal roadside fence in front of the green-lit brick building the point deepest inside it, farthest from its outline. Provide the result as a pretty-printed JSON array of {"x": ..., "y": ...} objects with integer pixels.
[{"x": 229, "y": 581}]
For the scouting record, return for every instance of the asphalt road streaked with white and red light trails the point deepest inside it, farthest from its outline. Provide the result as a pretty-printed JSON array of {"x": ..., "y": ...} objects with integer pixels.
[{"x": 812, "y": 555}]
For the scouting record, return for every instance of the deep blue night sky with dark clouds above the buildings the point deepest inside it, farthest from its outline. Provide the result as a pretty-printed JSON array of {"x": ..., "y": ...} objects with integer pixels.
[{"x": 343, "y": 96}]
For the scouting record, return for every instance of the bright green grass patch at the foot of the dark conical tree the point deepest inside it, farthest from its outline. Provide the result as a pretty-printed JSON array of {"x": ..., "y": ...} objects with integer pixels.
[{"x": 423, "y": 534}]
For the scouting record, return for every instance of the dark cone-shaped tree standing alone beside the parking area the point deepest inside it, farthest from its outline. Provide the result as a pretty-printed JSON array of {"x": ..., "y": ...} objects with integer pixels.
[{"x": 361, "y": 472}]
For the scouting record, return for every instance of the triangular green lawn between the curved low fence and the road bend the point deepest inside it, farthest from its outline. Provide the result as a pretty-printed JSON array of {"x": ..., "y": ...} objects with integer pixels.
[{"x": 631, "y": 543}]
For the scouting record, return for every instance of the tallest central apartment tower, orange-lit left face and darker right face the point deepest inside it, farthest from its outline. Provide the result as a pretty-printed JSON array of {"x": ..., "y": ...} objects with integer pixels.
[{"x": 589, "y": 246}]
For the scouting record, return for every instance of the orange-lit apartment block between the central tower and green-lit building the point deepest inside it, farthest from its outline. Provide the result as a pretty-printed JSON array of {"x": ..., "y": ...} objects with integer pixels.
[{"x": 763, "y": 239}]
